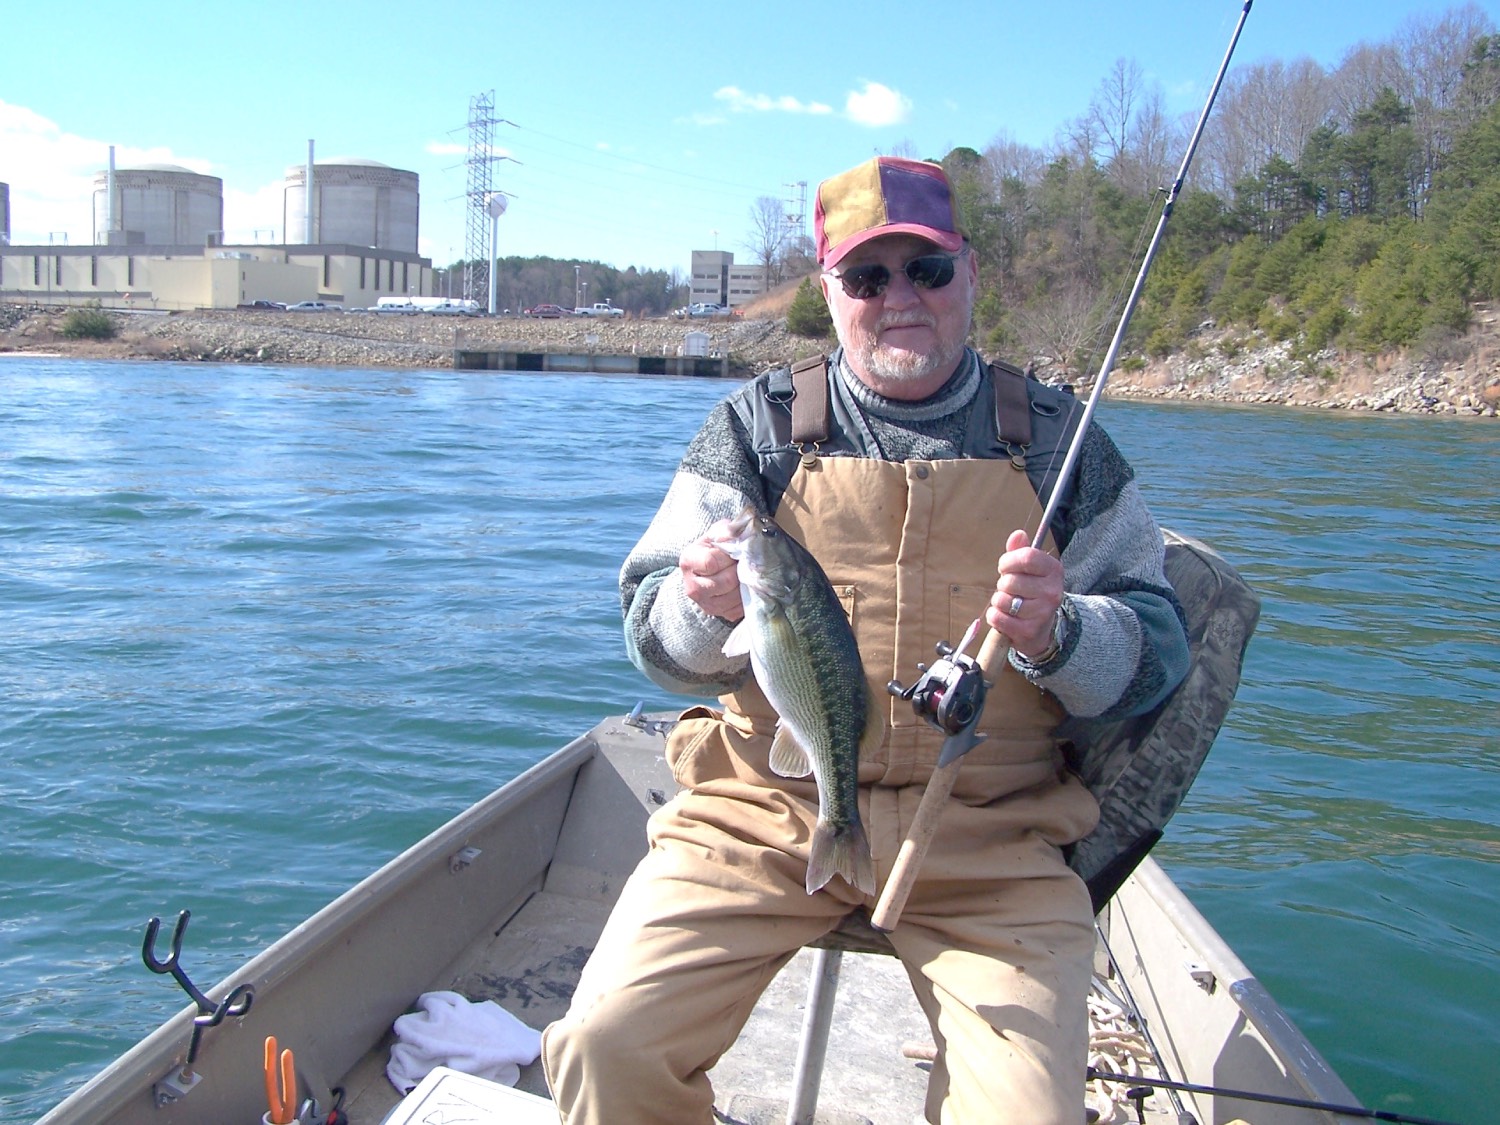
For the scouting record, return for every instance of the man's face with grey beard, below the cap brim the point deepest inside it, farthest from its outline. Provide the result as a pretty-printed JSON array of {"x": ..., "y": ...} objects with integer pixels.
[{"x": 908, "y": 341}]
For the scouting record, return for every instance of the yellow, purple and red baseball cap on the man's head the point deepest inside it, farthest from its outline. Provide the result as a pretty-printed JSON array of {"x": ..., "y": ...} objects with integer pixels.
[{"x": 886, "y": 196}]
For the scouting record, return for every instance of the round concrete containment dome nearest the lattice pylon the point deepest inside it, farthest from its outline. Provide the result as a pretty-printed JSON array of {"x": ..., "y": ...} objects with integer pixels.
[{"x": 361, "y": 203}]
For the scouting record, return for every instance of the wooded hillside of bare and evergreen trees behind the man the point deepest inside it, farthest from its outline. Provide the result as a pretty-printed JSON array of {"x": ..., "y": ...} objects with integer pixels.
[{"x": 1355, "y": 208}]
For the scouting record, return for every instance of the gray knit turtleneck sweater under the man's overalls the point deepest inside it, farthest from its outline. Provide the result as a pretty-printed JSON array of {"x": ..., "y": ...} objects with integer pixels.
[{"x": 1126, "y": 647}]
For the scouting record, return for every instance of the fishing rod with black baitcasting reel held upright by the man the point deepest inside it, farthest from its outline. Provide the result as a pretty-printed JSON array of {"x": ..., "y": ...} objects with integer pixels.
[{"x": 958, "y": 676}]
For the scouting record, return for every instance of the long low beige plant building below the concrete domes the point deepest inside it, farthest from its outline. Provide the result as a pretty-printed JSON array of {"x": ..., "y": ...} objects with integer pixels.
[{"x": 179, "y": 278}]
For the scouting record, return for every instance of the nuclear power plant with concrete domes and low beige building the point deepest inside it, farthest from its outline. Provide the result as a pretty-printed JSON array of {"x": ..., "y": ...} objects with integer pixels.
[{"x": 158, "y": 242}]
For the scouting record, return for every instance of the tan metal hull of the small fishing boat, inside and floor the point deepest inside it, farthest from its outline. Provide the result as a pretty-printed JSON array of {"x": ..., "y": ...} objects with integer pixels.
[{"x": 506, "y": 901}]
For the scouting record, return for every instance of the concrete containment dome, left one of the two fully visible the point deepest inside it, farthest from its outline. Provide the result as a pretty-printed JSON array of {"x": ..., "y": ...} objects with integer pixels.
[{"x": 158, "y": 205}]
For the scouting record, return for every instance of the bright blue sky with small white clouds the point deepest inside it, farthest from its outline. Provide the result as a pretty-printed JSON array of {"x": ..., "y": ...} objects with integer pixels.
[{"x": 629, "y": 134}]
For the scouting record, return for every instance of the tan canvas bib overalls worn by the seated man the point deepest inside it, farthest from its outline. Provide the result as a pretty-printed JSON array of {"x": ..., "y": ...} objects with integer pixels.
[{"x": 998, "y": 932}]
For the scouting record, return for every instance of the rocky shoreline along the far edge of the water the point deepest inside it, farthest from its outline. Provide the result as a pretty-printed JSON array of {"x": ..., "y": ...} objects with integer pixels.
[{"x": 1463, "y": 379}]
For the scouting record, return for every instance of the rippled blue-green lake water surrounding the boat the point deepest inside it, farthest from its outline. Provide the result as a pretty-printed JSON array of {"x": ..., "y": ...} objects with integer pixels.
[{"x": 265, "y": 628}]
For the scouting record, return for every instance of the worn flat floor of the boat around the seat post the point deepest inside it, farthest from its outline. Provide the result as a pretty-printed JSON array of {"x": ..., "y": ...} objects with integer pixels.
[{"x": 532, "y": 968}]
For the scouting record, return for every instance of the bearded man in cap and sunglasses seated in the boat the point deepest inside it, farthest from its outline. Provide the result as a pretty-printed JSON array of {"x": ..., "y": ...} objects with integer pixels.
[{"x": 911, "y": 500}]
